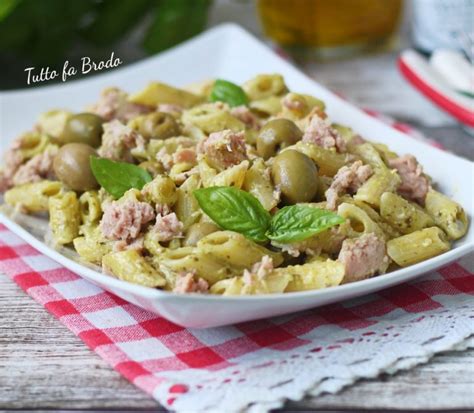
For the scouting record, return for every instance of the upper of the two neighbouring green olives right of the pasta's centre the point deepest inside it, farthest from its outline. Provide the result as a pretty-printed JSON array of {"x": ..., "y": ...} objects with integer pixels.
[{"x": 275, "y": 135}]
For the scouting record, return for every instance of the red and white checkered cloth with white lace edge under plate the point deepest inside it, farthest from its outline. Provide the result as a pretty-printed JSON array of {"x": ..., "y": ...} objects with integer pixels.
[{"x": 259, "y": 363}]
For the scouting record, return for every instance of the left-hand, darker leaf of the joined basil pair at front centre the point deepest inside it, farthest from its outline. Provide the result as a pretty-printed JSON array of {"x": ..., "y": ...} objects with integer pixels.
[{"x": 235, "y": 210}]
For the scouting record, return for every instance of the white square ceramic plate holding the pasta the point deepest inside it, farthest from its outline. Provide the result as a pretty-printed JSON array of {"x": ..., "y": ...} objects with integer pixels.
[{"x": 229, "y": 52}]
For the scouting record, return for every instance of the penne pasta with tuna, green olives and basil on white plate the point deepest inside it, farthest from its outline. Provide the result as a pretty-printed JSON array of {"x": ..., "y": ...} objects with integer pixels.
[{"x": 225, "y": 189}]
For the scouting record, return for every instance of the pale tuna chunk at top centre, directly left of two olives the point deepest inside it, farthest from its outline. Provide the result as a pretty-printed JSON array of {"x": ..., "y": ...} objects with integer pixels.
[{"x": 224, "y": 149}]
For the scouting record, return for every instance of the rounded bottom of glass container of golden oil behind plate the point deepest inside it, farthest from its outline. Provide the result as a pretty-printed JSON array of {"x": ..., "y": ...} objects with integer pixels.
[{"x": 330, "y": 28}]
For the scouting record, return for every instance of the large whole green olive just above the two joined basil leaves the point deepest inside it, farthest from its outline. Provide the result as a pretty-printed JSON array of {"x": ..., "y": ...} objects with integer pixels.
[{"x": 296, "y": 175}]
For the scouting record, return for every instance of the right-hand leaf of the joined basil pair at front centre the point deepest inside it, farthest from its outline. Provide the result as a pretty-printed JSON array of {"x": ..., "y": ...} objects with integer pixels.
[{"x": 298, "y": 222}]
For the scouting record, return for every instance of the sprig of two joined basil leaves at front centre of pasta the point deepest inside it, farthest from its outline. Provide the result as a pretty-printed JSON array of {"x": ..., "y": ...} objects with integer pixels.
[{"x": 236, "y": 210}]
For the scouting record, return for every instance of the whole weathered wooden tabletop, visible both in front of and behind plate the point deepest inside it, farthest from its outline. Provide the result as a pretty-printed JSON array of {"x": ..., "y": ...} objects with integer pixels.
[{"x": 43, "y": 365}]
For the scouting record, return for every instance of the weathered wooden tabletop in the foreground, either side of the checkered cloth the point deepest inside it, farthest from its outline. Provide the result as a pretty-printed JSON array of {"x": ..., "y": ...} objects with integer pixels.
[{"x": 44, "y": 366}]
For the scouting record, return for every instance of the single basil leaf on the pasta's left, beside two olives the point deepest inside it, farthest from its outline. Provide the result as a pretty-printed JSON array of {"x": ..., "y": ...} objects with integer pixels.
[{"x": 118, "y": 177}]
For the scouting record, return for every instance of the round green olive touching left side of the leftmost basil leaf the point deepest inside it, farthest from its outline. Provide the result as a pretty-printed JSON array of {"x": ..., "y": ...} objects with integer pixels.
[{"x": 72, "y": 166}]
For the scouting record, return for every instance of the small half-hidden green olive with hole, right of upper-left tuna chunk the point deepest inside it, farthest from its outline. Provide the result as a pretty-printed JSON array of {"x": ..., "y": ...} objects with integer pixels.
[{"x": 156, "y": 125}]
